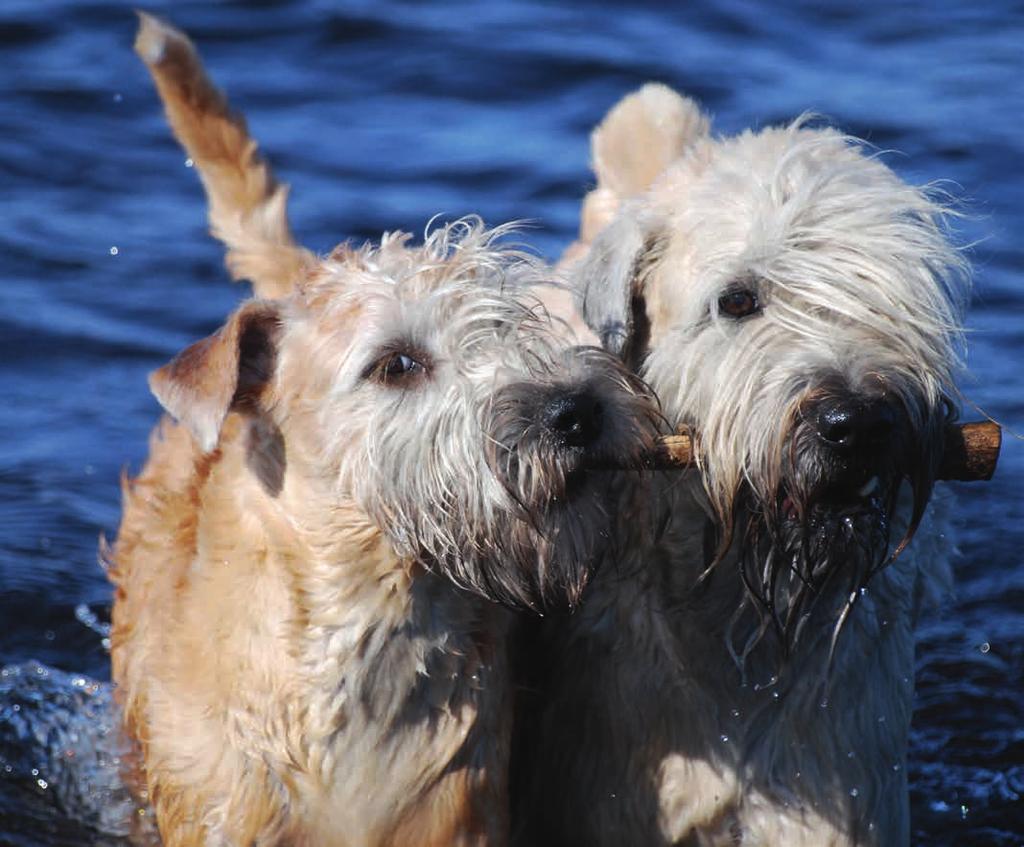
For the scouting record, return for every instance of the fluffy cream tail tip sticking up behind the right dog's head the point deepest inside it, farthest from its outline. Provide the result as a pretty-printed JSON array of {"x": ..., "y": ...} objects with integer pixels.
[{"x": 643, "y": 135}]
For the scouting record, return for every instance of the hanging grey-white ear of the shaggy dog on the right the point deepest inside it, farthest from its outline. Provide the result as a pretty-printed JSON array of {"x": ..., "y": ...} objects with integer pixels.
[{"x": 610, "y": 285}]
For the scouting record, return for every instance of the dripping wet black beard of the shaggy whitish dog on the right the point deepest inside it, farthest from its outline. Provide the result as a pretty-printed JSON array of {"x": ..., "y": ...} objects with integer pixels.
[{"x": 808, "y": 550}]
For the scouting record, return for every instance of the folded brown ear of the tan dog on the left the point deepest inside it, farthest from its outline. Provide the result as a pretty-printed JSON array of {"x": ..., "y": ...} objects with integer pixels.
[{"x": 226, "y": 371}]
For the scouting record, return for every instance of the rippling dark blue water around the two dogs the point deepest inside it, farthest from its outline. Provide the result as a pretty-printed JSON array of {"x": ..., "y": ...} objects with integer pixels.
[{"x": 381, "y": 115}]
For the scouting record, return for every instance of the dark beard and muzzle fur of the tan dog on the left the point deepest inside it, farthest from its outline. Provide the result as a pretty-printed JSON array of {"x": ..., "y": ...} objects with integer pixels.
[{"x": 565, "y": 516}]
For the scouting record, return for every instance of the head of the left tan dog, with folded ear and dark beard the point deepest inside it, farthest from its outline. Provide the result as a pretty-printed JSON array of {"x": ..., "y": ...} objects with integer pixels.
[{"x": 418, "y": 388}]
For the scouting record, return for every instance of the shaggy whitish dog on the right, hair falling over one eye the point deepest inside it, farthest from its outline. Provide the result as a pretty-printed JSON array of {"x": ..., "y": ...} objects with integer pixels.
[{"x": 798, "y": 306}]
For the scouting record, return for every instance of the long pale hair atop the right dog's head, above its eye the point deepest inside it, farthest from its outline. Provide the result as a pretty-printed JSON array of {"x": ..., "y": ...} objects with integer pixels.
[{"x": 799, "y": 213}]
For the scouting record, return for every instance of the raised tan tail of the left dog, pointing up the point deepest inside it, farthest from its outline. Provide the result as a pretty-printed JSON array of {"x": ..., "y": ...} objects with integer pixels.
[{"x": 247, "y": 205}]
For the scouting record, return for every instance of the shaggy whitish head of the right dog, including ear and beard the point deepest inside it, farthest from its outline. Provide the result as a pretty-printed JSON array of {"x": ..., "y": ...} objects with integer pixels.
[{"x": 800, "y": 307}]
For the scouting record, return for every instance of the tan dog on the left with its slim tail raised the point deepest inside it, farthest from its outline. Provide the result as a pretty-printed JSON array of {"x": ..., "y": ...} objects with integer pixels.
[{"x": 306, "y": 637}]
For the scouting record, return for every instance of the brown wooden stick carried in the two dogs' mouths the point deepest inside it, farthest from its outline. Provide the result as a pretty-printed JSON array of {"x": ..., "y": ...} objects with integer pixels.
[{"x": 970, "y": 454}]
